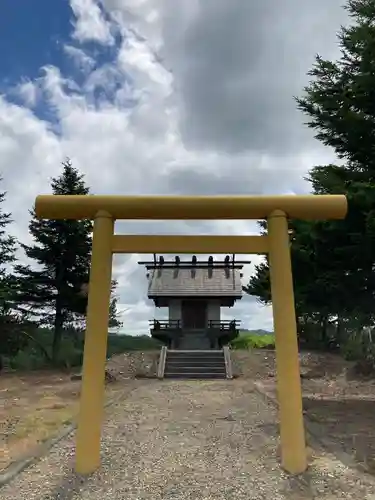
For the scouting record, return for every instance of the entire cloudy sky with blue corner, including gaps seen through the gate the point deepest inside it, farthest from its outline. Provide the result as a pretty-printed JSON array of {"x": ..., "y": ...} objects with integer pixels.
[{"x": 160, "y": 96}]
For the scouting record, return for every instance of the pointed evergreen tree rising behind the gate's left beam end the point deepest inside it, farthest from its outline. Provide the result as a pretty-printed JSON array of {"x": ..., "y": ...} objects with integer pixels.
[{"x": 50, "y": 291}]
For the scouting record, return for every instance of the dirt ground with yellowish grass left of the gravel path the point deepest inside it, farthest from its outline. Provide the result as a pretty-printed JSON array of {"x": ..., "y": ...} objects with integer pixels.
[{"x": 34, "y": 406}]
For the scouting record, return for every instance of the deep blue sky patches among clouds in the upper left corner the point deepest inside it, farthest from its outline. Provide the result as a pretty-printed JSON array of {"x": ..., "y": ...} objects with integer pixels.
[{"x": 33, "y": 35}]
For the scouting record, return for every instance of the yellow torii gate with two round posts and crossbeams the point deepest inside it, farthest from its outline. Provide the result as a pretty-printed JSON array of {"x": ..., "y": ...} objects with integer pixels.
[{"x": 104, "y": 210}]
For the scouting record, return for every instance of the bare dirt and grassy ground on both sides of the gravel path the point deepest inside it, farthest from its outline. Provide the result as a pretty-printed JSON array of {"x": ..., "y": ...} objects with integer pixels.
[{"x": 35, "y": 406}]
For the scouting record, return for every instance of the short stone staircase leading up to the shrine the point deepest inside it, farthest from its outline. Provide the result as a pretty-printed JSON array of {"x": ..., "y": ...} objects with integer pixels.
[{"x": 195, "y": 364}]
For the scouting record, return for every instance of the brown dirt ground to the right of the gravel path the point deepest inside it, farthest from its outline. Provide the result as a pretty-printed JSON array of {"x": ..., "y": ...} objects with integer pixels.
[{"x": 342, "y": 404}]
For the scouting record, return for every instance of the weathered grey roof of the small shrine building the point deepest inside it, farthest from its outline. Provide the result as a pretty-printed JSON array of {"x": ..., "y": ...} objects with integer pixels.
[{"x": 195, "y": 282}]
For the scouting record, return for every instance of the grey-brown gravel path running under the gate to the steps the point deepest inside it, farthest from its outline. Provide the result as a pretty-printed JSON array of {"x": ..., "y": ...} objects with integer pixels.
[{"x": 189, "y": 440}]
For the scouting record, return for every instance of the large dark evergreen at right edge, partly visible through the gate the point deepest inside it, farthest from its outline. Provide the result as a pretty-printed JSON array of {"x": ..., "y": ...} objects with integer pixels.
[{"x": 334, "y": 261}]
